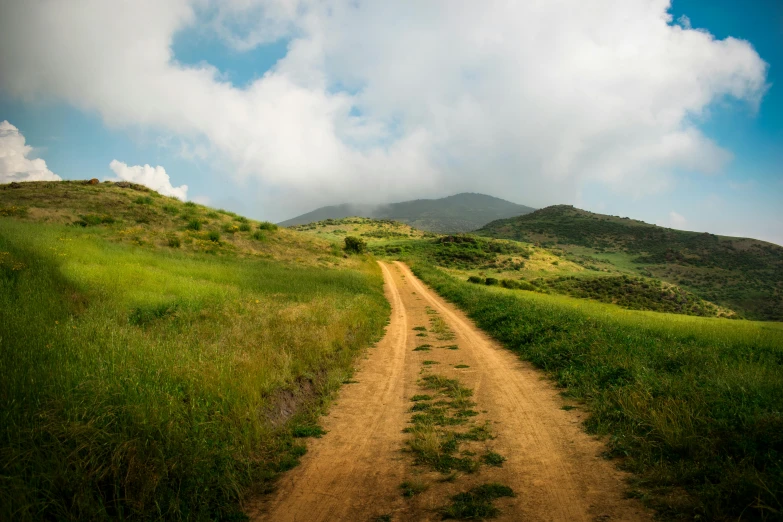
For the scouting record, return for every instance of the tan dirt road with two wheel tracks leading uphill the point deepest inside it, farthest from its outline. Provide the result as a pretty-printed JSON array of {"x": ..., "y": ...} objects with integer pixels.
[{"x": 354, "y": 472}]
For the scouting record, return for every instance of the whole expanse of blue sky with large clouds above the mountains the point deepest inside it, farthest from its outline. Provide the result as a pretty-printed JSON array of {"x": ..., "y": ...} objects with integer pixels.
[{"x": 380, "y": 104}]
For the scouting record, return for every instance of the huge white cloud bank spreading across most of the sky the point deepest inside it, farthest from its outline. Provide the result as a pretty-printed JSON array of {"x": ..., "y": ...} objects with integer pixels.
[{"x": 528, "y": 100}]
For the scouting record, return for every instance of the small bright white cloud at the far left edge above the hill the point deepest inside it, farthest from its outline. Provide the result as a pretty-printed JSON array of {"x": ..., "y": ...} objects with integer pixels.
[{"x": 15, "y": 163}]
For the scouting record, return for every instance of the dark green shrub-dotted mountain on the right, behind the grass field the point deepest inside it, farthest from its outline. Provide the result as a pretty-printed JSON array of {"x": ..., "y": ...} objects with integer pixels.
[{"x": 743, "y": 274}]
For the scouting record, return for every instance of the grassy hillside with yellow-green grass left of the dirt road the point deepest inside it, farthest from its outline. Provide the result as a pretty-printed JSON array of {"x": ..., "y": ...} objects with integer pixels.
[{"x": 139, "y": 380}]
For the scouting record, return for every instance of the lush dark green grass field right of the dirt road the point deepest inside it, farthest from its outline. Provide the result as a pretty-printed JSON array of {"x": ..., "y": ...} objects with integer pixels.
[{"x": 693, "y": 406}]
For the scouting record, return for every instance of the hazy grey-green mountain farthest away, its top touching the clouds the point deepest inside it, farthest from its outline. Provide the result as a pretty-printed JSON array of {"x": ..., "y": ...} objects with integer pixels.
[{"x": 458, "y": 213}]
